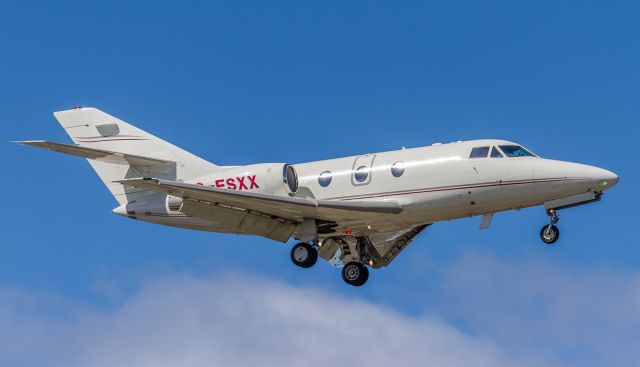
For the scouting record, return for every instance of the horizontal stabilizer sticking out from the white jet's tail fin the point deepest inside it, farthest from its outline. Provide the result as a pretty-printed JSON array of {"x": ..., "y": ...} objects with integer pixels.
[{"x": 96, "y": 154}]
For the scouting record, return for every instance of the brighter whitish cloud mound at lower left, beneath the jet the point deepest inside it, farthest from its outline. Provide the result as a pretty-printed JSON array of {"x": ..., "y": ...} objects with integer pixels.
[{"x": 230, "y": 321}]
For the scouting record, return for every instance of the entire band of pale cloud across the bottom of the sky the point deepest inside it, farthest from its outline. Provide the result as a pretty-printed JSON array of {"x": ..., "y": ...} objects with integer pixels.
[{"x": 515, "y": 313}]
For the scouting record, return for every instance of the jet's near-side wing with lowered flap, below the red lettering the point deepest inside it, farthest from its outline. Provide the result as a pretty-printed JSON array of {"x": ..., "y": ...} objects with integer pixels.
[{"x": 279, "y": 215}]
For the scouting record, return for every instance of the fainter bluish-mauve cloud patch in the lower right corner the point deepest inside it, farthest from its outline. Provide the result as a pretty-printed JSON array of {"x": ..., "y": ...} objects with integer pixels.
[{"x": 587, "y": 315}]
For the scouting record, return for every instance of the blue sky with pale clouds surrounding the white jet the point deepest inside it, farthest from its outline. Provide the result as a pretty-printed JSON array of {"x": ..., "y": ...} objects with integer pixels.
[{"x": 291, "y": 82}]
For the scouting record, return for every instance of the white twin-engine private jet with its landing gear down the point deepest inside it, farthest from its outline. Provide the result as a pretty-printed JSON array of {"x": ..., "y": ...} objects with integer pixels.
[{"x": 355, "y": 212}]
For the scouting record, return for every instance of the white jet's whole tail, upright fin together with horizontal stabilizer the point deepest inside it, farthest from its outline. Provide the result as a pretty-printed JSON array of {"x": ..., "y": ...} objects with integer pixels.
[{"x": 117, "y": 150}]
